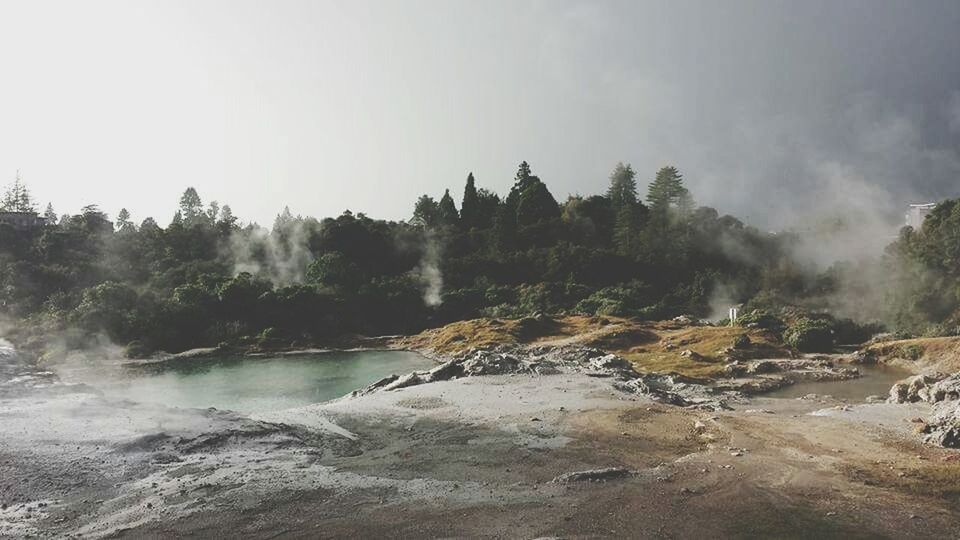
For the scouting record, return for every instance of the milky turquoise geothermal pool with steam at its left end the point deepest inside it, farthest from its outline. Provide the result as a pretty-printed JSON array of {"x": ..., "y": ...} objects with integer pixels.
[{"x": 250, "y": 385}]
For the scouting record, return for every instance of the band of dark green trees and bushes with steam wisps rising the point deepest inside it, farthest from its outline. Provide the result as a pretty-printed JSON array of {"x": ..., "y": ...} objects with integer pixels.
[{"x": 207, "y": 279}]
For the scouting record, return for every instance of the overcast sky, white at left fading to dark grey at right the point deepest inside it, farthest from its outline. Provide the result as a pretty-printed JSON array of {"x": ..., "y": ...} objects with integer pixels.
[{"x": 774, "y": 111}]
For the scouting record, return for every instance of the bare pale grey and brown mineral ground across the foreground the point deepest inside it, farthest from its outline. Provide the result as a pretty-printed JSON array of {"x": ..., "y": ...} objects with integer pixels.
[{"x": 549, "y": 442}]
